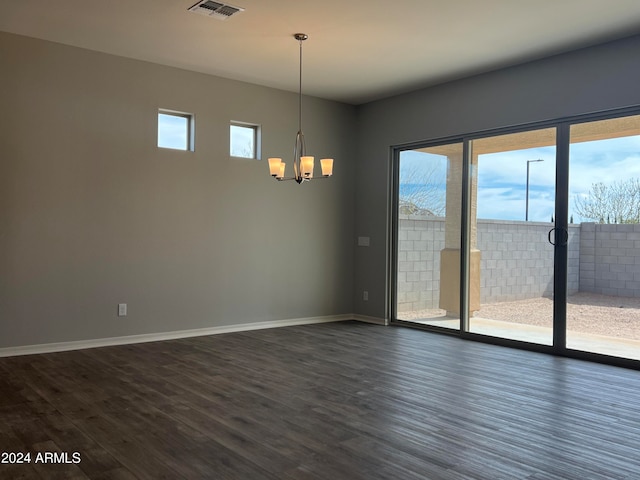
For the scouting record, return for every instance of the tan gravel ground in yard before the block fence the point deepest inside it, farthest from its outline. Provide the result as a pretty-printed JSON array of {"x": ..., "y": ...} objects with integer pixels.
[{"x": 586, "y": 312}]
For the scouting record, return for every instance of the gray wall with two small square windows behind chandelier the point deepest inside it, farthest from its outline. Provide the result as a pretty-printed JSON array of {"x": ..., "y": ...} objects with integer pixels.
[{"x": 93, "y": 214}]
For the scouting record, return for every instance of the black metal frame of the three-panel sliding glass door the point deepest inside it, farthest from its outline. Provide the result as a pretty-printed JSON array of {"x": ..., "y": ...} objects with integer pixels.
[{"x": 562, "y": 126}]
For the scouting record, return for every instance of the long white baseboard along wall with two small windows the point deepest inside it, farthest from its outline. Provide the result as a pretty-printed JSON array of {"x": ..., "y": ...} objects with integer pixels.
[{"x": 156, "y": 337}]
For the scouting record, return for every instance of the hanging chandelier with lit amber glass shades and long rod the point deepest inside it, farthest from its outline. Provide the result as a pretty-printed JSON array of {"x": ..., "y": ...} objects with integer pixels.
[{"x": 302, "y": 163}]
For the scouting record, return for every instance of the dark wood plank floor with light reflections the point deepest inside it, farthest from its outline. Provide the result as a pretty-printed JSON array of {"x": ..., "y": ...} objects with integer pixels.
[{"x": 331, "y": 401}]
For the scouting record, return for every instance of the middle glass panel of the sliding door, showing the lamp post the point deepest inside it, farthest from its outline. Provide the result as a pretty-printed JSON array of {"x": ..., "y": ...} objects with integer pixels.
[{"x": 511, "y": 267}]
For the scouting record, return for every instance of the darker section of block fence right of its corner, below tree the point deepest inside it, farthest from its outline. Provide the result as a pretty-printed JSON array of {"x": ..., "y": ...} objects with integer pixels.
[{"x": 610, "y": 259}]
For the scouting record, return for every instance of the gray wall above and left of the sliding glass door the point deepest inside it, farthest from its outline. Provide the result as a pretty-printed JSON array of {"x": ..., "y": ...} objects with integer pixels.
[{"x": 584, "y": 81}]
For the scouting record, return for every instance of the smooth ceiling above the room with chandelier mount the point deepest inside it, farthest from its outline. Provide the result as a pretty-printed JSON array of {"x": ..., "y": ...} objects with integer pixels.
[{"x": 357, "y": 50}]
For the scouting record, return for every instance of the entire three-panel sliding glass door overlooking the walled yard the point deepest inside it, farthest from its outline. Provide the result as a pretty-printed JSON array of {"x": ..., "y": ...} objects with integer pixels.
[{"x": 542, "y": 225}]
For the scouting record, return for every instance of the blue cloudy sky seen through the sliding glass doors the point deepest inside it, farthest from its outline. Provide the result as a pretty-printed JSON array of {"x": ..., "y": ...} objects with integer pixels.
[{"x": 502, "y": 176}]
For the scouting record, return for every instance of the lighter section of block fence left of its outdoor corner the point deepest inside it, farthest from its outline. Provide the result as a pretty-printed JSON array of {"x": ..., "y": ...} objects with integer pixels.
[{"x": 516, "y": 261}]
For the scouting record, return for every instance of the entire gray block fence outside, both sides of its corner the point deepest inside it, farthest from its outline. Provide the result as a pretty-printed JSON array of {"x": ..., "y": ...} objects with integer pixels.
[{"x": 517, "y": 260}]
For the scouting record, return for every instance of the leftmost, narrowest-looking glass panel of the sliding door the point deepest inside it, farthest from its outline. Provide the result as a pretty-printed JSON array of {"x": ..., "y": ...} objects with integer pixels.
[{"x": 428, "y": 246}]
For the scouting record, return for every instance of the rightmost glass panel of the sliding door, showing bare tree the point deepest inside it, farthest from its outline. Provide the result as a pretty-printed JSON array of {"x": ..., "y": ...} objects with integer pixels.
[{"x": 603, "y": 313}]
